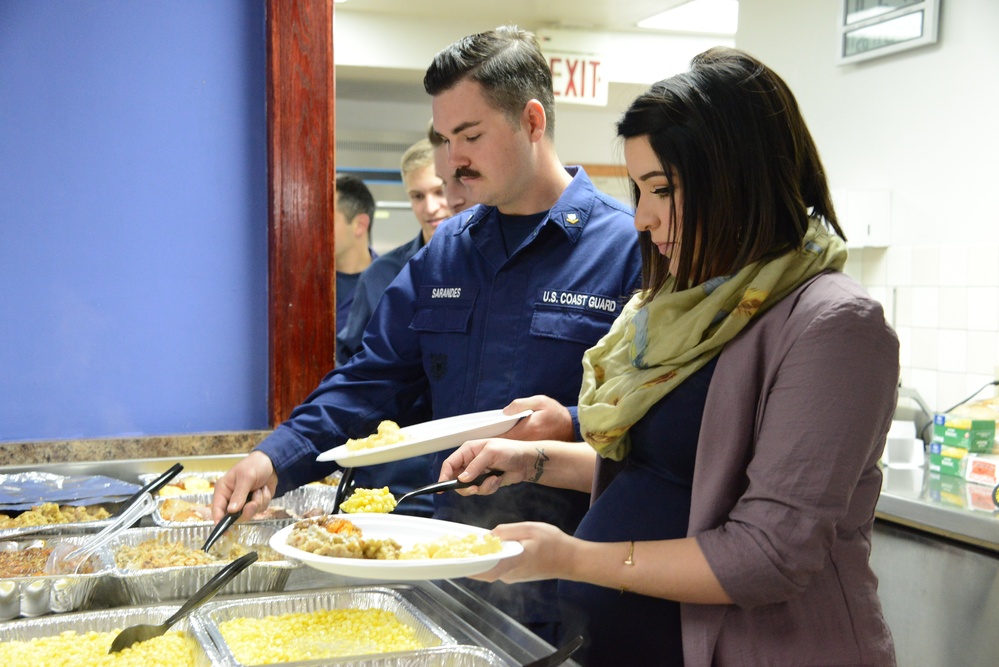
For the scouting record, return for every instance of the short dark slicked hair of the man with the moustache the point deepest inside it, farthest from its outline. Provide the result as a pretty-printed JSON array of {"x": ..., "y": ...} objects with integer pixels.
[{"x": 507, "y": 62}]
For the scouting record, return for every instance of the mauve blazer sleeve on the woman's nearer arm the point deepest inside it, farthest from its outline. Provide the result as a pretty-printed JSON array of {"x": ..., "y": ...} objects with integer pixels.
[{"x": 812, "y": 474}]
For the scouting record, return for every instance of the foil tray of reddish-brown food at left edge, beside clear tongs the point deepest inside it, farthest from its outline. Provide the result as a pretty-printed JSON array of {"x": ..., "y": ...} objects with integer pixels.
[{"x": 36, "y": 596}]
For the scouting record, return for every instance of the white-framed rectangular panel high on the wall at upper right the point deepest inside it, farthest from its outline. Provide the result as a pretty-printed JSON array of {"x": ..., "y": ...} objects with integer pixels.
[{"x": 874, "y": 28}]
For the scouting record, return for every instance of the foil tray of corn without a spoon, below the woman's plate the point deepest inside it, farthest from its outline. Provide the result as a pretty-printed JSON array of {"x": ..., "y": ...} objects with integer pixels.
[{"x": 209, "y": 617}]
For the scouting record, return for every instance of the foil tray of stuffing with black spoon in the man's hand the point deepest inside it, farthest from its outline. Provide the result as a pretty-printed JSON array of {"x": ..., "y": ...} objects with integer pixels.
[{"x": 179, "y": 583}]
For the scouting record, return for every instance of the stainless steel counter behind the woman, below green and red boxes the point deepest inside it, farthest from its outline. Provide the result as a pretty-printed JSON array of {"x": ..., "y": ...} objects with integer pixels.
[{"x": 936, "y": 553}]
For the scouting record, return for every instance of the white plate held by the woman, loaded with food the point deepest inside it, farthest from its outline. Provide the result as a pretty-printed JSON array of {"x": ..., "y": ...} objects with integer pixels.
[{"x": 407, "y": 531}]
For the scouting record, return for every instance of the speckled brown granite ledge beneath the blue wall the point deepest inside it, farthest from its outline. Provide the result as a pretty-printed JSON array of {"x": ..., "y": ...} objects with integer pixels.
[{"x": 142, "y": 447}]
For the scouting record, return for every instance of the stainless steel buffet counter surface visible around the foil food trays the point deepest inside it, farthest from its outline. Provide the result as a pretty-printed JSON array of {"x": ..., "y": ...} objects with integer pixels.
[{"x": 461, "y": 614}]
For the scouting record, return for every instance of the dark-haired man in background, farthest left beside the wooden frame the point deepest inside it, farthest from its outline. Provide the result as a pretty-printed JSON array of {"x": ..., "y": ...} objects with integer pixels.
[{"x": 353, "y": 217}]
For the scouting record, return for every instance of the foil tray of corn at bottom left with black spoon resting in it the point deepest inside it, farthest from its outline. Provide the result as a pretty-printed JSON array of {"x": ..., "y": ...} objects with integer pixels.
[{"x": 102, "y": 621}]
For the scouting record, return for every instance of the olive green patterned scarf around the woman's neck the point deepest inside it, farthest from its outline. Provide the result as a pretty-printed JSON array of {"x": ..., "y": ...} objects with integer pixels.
[{"x": 651, "y": 349}]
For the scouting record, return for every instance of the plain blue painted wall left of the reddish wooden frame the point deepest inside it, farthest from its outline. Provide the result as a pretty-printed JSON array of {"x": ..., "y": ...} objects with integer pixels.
[{"x": 133, "y": 217}]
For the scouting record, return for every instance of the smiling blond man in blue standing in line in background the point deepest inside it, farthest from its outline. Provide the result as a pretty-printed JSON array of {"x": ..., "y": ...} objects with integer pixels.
[{"x": 425, "y": 190}]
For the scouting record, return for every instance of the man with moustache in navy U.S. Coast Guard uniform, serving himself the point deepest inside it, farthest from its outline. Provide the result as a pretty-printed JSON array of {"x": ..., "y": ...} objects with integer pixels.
[{"x": 501, "y": 305}]
